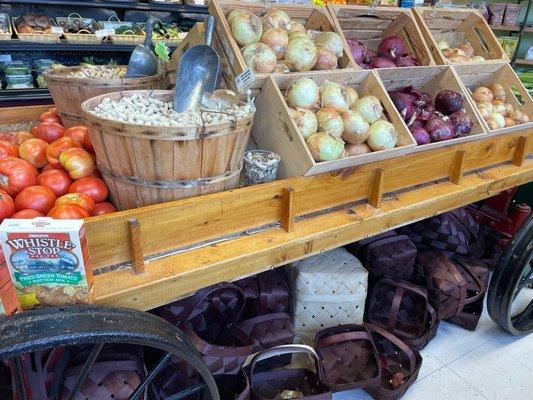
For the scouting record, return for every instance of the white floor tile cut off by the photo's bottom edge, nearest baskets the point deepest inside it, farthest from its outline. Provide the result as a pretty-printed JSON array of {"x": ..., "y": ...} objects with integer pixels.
[{"x": 442, "y": 385}]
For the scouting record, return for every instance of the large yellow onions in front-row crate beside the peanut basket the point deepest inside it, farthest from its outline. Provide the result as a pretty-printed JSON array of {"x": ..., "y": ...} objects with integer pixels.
[{"x": 335, "y": 122}]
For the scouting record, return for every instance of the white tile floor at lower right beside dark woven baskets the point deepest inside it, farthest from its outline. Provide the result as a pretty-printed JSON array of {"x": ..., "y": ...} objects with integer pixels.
[{"x": 462, "y": 365}]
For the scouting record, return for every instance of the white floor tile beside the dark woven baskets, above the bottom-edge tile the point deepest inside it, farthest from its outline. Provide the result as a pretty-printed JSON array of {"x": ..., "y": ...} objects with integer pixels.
[{"x": 453, "y": 342}]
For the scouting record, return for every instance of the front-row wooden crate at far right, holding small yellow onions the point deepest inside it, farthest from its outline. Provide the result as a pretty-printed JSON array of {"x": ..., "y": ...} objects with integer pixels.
[{"x": 485, "y": 75}]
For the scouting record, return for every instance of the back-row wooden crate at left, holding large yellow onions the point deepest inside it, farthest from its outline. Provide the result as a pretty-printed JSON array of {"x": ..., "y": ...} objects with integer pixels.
[{"x": 316, "y": 18}]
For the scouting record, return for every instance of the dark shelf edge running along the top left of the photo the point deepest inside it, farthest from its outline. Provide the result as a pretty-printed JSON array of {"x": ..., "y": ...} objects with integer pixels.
[{"x": 129, "y": 5}]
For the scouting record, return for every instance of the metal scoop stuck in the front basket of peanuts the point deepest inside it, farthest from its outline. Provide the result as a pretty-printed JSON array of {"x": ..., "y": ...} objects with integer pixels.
[{"x": 198, "y": 72}]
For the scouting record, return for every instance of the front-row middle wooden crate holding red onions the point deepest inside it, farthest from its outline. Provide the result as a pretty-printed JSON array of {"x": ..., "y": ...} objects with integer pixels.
[{"x": 432, "y": 80}]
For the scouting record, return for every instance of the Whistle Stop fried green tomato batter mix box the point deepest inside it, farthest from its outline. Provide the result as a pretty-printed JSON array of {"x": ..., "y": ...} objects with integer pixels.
[{"x": 48, "y": 261}]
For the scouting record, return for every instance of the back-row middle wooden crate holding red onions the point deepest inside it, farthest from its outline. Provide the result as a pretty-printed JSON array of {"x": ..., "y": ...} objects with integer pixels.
[{"x": 370, "y": 25}]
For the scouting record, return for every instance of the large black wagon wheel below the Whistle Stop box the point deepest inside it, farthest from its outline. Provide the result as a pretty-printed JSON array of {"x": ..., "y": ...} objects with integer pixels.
[{"x": 88, "y": 330}]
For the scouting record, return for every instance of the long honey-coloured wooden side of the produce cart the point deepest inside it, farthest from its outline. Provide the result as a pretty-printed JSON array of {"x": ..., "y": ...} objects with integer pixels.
[{"x": 146, "y": 257}]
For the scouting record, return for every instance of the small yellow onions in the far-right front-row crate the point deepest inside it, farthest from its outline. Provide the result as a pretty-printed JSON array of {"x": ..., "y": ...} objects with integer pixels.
[{"x": 492, "y": 105}]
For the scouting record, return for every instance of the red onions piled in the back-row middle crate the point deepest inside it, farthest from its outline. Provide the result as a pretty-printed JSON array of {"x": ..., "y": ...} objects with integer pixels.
[{"x": 391, "y": 53}]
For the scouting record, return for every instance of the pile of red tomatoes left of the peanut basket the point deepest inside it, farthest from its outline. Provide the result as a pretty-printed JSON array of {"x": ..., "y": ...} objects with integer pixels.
[{"x": 50, "y": 171}]
